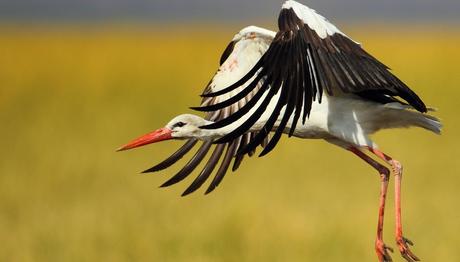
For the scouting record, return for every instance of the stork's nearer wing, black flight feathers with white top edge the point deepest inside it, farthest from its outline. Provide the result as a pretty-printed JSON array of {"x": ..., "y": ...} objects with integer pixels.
[{"x": 308, "y": 56}]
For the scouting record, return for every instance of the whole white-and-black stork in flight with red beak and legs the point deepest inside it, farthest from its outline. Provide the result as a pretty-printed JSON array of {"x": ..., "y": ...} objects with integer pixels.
[{"x": 308, "y": 80}]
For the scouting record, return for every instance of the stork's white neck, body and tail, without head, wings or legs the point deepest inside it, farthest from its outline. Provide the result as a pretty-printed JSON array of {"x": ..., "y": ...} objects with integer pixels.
[{"x": 345, "y": 120}]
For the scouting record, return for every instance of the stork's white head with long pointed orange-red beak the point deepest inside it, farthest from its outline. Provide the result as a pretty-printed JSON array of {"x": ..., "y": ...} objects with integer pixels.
[{"x": 181, "y": 127}]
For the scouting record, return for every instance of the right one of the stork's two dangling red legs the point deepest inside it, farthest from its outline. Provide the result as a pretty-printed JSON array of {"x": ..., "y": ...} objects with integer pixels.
[{"x": 400, "y": 239}]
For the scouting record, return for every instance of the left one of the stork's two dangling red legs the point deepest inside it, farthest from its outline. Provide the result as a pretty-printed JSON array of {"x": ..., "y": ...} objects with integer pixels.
[{"x": 380, "y": 247}]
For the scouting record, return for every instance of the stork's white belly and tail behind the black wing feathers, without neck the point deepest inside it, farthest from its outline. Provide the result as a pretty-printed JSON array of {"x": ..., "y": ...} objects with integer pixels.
[{"x": 351, "y": 120}]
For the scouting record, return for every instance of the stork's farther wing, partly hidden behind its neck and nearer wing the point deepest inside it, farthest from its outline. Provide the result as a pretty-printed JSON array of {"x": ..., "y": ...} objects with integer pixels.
[{"x": 239, "y": 57}]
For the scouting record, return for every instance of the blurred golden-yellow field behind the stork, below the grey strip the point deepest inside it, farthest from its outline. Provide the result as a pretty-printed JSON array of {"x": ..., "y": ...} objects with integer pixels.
[{"x": 70, "y": 96}]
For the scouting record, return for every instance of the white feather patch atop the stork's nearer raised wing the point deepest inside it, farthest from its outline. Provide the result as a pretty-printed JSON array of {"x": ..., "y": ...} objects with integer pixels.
[{"x": 315, "y": 21}]
